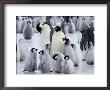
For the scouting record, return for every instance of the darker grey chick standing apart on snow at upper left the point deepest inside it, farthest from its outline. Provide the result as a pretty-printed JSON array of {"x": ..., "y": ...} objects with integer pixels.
[{"x": 28, "y": 33}]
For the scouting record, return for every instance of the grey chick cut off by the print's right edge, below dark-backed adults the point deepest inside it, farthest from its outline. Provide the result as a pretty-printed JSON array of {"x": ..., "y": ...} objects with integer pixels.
[{"x": 90, "y": 55}]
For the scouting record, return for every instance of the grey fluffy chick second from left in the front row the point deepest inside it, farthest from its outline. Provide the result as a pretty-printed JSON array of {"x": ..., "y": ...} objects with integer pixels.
[{"x": 45, "y": 65}]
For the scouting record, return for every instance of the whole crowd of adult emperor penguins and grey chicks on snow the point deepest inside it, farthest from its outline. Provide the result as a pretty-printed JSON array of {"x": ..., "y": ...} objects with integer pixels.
[{"x": 58, "y": 53}]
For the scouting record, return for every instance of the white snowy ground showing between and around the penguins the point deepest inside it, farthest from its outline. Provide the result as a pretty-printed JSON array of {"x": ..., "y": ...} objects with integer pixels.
[{"x": 82, "y": 69}]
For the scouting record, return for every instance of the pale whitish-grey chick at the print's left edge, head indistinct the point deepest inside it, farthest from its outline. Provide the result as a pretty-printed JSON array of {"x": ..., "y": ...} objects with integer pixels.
[{"x": 22, "y": 49}]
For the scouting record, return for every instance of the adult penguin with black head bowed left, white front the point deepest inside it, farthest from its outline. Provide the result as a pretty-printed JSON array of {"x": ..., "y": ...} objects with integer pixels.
[{"x": 44, "y": 30}]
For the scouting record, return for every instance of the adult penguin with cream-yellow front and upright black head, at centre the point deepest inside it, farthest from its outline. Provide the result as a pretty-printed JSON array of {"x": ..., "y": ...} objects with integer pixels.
[{"x": 57, "y": 44}]
